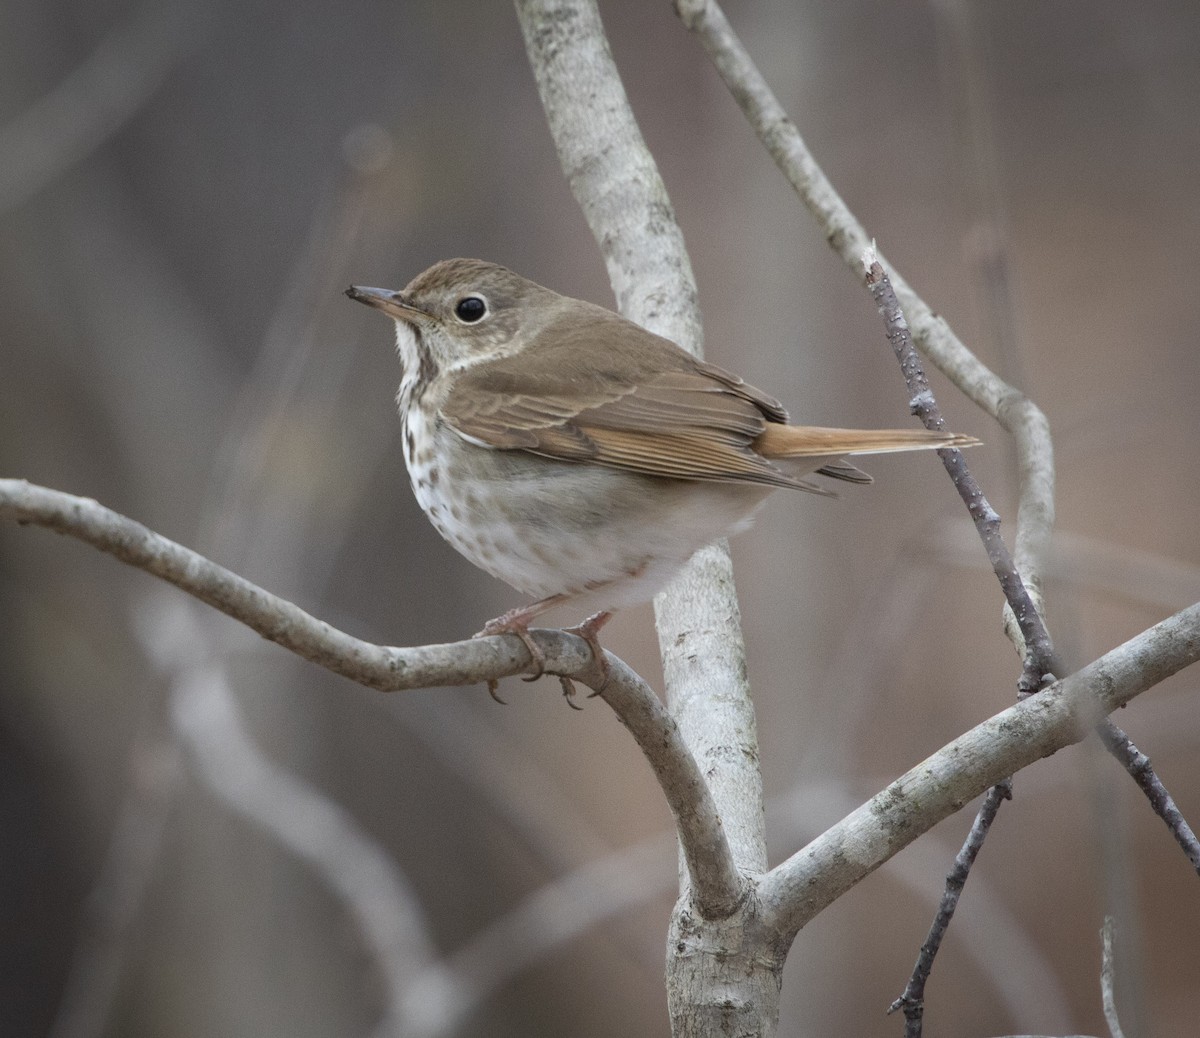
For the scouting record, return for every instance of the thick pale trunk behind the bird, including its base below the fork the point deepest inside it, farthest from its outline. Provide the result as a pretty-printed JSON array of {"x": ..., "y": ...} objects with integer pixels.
[{"x": 716, "y": 982}]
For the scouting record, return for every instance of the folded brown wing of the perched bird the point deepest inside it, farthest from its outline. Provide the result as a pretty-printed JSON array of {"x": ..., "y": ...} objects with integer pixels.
[{"x": 652, "y": 409}]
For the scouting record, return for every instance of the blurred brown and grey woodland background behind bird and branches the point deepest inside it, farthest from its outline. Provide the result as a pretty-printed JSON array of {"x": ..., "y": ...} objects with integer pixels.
[{"x": 185, "y": 189}]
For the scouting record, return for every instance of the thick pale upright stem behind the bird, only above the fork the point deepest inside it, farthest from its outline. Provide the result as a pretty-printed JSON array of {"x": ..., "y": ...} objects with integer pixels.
[{"x": 622, "y": 195}]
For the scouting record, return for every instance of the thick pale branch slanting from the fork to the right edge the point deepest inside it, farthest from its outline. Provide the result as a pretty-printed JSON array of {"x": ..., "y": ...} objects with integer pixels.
[{"x": 1058, "y": 717}]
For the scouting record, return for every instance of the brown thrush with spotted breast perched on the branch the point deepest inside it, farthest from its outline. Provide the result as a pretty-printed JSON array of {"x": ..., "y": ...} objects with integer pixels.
[{"x": 578, "y": 457}]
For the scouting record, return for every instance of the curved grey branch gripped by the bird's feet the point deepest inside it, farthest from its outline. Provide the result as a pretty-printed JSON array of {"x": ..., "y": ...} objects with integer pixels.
[{"x": 389, "y": 669}]
